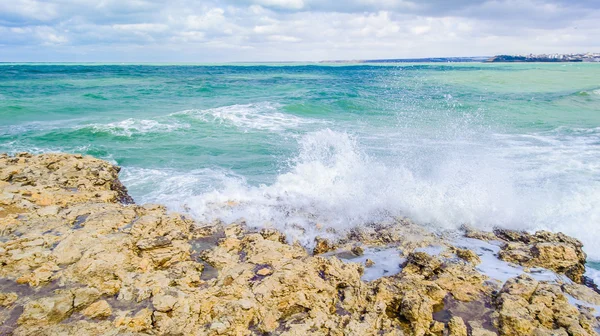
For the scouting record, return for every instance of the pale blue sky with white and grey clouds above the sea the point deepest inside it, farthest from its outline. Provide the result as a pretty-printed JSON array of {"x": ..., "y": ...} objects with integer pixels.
[{"x": 290, "y": 30}]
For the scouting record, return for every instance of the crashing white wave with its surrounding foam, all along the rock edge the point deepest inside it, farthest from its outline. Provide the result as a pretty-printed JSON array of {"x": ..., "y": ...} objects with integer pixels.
[{"x": 526, "y": 182}]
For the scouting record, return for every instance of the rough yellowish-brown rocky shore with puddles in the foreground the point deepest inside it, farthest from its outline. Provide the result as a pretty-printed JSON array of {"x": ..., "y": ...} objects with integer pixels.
[{"x": 78, "y": 257}]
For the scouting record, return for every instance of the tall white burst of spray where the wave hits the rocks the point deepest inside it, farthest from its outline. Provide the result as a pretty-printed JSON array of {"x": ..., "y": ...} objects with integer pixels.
[{"x": 333, "y": 186}]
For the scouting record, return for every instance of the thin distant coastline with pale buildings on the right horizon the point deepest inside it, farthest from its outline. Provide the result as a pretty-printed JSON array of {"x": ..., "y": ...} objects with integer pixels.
[{"x": 551, "y": 58}]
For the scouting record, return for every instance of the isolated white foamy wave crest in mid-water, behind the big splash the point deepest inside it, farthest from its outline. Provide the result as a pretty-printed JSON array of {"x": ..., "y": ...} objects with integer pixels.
[{"x": 259, "y": 116}]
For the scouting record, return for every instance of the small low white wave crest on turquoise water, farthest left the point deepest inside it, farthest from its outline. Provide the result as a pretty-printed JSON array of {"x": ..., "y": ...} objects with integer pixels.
[{"x": 130, "y": 127}]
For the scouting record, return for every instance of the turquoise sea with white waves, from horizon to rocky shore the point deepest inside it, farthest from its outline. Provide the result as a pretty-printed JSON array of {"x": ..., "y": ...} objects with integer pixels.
[{"x": 293, "y": 146}]
